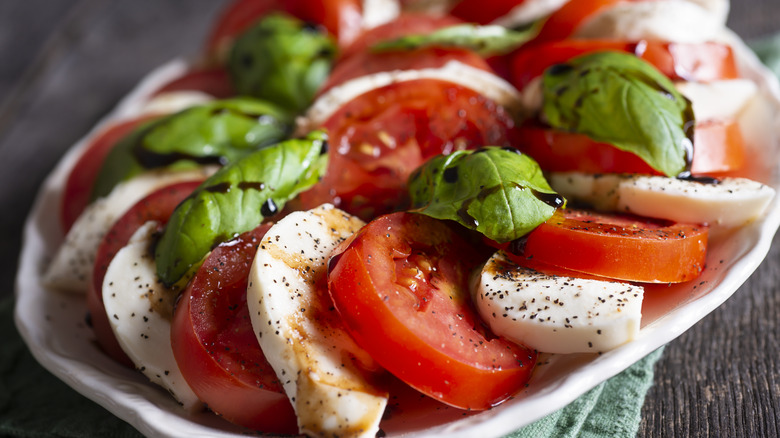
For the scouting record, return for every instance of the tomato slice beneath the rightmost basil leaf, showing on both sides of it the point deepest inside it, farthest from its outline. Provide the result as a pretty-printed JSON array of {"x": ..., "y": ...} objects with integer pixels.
[{"x": 718, "y": 148}]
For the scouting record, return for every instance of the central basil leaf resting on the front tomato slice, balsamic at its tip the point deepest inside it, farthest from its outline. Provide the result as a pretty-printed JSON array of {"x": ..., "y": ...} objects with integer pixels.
[{"x": 497, "y": 191}]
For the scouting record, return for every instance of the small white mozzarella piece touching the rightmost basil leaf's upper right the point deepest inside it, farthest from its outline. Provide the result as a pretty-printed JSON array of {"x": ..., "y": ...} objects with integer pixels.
[{"x": 719, "y": 100}]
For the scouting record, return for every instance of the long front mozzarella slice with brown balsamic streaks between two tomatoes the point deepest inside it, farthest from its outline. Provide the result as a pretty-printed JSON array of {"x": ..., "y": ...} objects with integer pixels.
[{"x": 320, "y": 366}]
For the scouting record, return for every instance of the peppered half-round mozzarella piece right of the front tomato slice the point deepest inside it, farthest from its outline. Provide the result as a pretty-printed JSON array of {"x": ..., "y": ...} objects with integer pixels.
[{"x": 557, "y": 314}]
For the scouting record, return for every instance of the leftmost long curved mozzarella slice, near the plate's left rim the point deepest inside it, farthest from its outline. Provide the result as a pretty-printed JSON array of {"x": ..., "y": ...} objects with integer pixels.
[{"x": 71, "y": 268}]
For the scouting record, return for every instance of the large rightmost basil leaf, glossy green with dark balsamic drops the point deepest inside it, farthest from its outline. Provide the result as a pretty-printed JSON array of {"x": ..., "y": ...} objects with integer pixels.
[{"x": 619, "y": 99}]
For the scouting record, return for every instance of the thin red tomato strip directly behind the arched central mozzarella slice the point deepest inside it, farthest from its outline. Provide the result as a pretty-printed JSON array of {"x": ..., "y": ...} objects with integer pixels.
[{"x": 367, "y": 62}]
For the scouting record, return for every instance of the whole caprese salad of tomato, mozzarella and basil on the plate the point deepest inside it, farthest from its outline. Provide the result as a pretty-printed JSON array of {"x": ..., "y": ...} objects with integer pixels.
[{"x": 346, "y": 196}]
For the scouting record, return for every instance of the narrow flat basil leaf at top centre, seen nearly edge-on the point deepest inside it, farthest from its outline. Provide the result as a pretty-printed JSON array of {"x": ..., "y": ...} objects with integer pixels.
[{"x": 485, "y": 40}]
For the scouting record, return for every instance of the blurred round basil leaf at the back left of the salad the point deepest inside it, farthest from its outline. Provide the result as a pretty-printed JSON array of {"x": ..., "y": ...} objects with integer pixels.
[{"x": 283, "y": 60}]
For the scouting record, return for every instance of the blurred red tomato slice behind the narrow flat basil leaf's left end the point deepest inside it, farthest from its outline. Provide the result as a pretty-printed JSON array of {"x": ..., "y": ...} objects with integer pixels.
[{"x": 406, "y": 24}]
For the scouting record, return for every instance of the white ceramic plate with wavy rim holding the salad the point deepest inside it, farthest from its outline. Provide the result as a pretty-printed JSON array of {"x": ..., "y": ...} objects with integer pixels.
[{"x": 53, "y": 325}]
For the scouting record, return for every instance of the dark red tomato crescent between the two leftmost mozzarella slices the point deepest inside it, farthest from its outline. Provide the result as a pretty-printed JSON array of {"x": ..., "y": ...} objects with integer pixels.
[{"x": 157, "y": 206}]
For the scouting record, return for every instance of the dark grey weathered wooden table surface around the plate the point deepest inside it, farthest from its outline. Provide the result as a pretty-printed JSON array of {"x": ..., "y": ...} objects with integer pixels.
[{"x": 63, "y": 64}]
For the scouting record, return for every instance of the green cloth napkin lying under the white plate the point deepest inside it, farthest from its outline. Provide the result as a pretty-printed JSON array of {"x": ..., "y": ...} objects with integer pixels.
[{"x": 34, "y": 403}]
